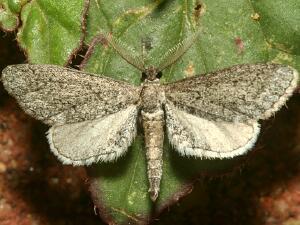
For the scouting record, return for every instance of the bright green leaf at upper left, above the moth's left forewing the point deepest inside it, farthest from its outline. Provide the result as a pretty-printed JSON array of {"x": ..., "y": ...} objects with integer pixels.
[{"x": 51, "y": 30}]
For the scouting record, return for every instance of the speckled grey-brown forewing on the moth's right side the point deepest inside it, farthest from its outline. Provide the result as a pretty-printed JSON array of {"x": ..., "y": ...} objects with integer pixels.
[{"x": 236, "y": 94}]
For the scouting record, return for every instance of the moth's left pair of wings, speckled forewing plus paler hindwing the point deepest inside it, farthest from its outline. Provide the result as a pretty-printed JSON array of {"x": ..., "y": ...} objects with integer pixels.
[{"x": 87, "y": 112}]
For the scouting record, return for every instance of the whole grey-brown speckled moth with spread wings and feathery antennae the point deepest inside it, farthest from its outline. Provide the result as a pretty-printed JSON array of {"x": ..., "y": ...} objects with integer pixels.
[{"x": 93, "y": 118}]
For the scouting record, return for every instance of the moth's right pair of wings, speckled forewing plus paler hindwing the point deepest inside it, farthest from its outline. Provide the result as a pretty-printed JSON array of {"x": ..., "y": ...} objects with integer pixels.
[{"x": 216, "y": 115}]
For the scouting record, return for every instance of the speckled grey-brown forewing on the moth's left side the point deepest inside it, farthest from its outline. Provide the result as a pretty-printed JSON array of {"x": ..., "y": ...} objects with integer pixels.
[{"x": 58, "y": 95}]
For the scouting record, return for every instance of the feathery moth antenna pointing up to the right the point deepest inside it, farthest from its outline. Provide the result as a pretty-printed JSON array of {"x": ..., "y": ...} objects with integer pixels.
[{"x": 173, "y": 54}]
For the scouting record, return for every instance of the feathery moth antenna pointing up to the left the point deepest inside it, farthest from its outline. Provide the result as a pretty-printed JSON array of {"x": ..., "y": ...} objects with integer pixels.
[{"x": 125, "y": 52}]
